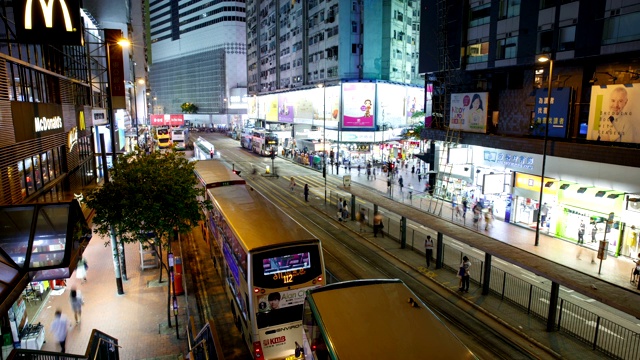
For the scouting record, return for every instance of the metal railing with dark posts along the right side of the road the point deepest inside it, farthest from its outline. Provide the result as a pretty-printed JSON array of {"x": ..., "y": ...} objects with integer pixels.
[{"x": 600, "y": 333}]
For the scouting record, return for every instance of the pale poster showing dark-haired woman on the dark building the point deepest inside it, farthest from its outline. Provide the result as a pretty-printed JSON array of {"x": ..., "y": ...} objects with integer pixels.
[{"x": 468, "y": 112}]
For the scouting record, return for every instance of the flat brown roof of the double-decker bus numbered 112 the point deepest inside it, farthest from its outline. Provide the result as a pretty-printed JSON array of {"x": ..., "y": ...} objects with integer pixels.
[{"x": 255, "y": 220}]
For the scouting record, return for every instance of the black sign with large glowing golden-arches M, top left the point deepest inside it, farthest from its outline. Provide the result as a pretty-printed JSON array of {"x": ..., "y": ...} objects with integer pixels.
[{"x": 55, "y": 22}]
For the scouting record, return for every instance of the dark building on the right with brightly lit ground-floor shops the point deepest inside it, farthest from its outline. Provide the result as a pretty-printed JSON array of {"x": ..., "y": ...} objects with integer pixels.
[{"x": 578, "y": 155}]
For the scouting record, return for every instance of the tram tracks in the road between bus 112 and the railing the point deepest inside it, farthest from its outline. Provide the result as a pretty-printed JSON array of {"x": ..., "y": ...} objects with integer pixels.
[{"x": 351, "y": 256}]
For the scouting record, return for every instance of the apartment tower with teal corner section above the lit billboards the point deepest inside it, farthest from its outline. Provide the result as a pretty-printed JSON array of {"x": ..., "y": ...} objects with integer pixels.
[{"x": 292, "y": 43}]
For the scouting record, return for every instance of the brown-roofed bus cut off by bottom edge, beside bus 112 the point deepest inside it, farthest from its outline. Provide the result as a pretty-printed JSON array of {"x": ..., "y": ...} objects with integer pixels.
[{"x": 374, "y": 319}]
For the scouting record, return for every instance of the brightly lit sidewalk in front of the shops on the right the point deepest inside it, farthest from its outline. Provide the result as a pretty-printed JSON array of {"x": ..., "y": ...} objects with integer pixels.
[{"x": 615, "y": 270}]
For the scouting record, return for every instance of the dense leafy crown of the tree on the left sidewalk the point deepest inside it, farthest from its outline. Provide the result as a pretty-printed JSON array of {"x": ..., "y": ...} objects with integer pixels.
[{"x": 148, "y": 193}]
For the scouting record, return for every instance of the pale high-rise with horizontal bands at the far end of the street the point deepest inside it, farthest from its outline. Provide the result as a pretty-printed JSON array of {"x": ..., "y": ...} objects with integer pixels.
[{"x": 198, "y": 56}]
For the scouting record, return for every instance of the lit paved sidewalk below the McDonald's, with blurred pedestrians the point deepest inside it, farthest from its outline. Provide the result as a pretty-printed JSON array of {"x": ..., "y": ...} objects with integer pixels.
[{"x": 138, "y": 319}]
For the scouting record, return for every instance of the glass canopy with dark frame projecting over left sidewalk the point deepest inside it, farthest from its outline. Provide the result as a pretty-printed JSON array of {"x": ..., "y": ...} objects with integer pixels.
[{"x": 39, "y": 242}]
